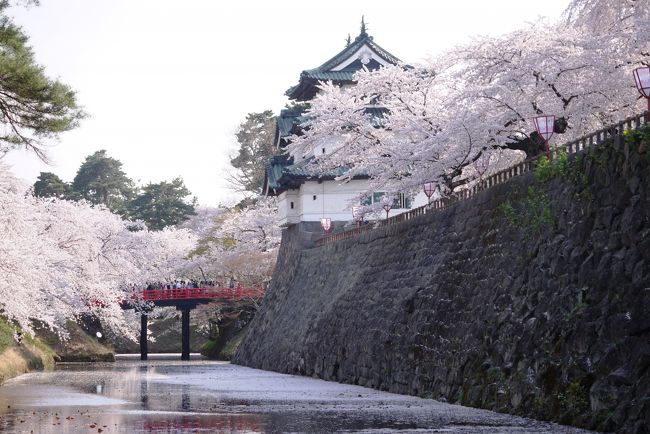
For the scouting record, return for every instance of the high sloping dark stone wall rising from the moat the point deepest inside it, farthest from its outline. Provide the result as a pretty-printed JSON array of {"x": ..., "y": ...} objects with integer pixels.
[{"x": 531, "y": 298}]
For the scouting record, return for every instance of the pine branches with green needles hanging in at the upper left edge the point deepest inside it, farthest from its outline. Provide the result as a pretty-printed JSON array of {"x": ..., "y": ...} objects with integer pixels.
[{"x": 33, "y": 107}]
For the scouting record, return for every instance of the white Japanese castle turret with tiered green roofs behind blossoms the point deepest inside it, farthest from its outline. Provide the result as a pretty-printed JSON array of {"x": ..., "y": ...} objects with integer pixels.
[{"x": 305, "y": 194}]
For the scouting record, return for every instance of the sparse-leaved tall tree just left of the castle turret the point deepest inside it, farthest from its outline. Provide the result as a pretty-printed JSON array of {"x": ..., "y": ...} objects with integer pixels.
[{"x": 256, "y": 137}]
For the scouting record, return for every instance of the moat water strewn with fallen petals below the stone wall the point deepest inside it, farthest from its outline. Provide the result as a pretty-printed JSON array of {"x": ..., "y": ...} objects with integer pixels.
[{"x": 169, "y": 396}]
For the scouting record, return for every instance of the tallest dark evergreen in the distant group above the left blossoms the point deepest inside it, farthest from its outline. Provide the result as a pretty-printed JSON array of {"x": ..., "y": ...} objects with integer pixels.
[{"x": 100, "y": 180}]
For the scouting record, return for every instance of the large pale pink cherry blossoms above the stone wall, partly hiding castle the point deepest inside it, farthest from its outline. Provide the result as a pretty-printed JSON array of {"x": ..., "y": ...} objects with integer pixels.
[{"x": 478, "y": 101}]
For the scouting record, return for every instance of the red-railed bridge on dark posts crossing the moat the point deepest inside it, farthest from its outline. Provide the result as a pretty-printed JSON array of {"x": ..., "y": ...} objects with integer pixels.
[{"x": 184, "y": 299}]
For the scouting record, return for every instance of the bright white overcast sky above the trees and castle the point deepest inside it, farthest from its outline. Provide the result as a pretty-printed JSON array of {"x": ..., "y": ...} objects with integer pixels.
[{"x": 167, "y": 82}]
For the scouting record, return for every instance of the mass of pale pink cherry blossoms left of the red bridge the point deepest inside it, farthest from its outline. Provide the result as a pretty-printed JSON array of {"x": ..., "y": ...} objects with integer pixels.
[{"x": 60, "y": 259}]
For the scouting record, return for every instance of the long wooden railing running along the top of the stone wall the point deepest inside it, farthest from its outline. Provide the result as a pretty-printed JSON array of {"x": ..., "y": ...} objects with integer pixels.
[{"x": 613, "y": 132}]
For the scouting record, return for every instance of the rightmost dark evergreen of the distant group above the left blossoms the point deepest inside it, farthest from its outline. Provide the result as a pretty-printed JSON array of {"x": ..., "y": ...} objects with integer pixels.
[{"x": 162, "y": 204}]
